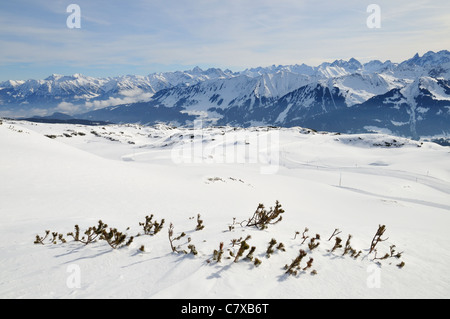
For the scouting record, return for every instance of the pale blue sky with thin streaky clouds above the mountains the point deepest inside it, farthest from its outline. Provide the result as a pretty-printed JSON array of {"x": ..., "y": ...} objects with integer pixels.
[{"x": 142, "y": 37}]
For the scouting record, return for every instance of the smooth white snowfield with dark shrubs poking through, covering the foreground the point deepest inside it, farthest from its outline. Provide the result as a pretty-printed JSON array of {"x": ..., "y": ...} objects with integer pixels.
[{"x": 120, "y": 174}]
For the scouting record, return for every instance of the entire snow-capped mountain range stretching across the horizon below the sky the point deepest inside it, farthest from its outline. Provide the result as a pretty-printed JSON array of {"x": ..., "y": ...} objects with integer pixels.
[{"x": 411, "y": 98}]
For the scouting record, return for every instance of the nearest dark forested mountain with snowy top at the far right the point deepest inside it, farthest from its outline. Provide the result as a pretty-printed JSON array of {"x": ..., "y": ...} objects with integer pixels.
[{"x": 420, "y": 108}]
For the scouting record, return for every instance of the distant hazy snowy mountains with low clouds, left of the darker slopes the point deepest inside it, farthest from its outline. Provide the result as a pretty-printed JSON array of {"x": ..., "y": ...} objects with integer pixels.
[{"x": 79, "y": 93}]
